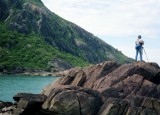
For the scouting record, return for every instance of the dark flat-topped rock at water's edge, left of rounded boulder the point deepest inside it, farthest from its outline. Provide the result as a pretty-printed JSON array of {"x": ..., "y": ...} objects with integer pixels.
[{"x": 28, "y": 104}]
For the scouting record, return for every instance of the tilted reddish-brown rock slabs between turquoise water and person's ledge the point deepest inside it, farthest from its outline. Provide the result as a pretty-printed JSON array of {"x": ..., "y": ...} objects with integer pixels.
[{"x": 84, "y": 77}]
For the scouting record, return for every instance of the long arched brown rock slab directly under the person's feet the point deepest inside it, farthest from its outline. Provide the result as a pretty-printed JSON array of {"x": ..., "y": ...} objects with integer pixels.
[{"x": 146, "y": 70}]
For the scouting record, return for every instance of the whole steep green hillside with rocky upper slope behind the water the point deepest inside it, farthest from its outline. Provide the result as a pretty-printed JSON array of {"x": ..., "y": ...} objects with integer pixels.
[{"x": 32, "y": 37}]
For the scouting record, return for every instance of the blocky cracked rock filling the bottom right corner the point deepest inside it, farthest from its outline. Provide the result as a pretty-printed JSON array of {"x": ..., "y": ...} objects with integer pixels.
[{"x": 137, "y": 106}]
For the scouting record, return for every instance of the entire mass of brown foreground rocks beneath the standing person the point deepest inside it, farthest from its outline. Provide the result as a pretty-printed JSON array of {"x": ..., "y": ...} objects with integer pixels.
[{"x": 103, "y": 89}]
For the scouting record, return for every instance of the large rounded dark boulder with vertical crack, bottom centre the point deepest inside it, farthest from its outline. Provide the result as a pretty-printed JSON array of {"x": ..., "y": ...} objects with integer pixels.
[{"x": 71, "y": 100}]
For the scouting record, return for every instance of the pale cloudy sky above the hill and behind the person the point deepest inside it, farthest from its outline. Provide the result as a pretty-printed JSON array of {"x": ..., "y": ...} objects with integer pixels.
[{"x": 117, "y": 22}]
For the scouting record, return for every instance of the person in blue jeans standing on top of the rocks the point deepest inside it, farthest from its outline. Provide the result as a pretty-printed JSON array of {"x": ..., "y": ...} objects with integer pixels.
[{"x": 139, "y": 47}]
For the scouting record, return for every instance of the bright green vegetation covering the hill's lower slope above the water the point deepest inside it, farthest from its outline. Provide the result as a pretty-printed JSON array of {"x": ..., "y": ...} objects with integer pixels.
[{"x": 30, "y": 51}]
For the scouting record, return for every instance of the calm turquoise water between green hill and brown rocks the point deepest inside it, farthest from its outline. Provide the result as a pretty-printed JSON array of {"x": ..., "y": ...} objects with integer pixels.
[{"x": 11, "y": 85}]
